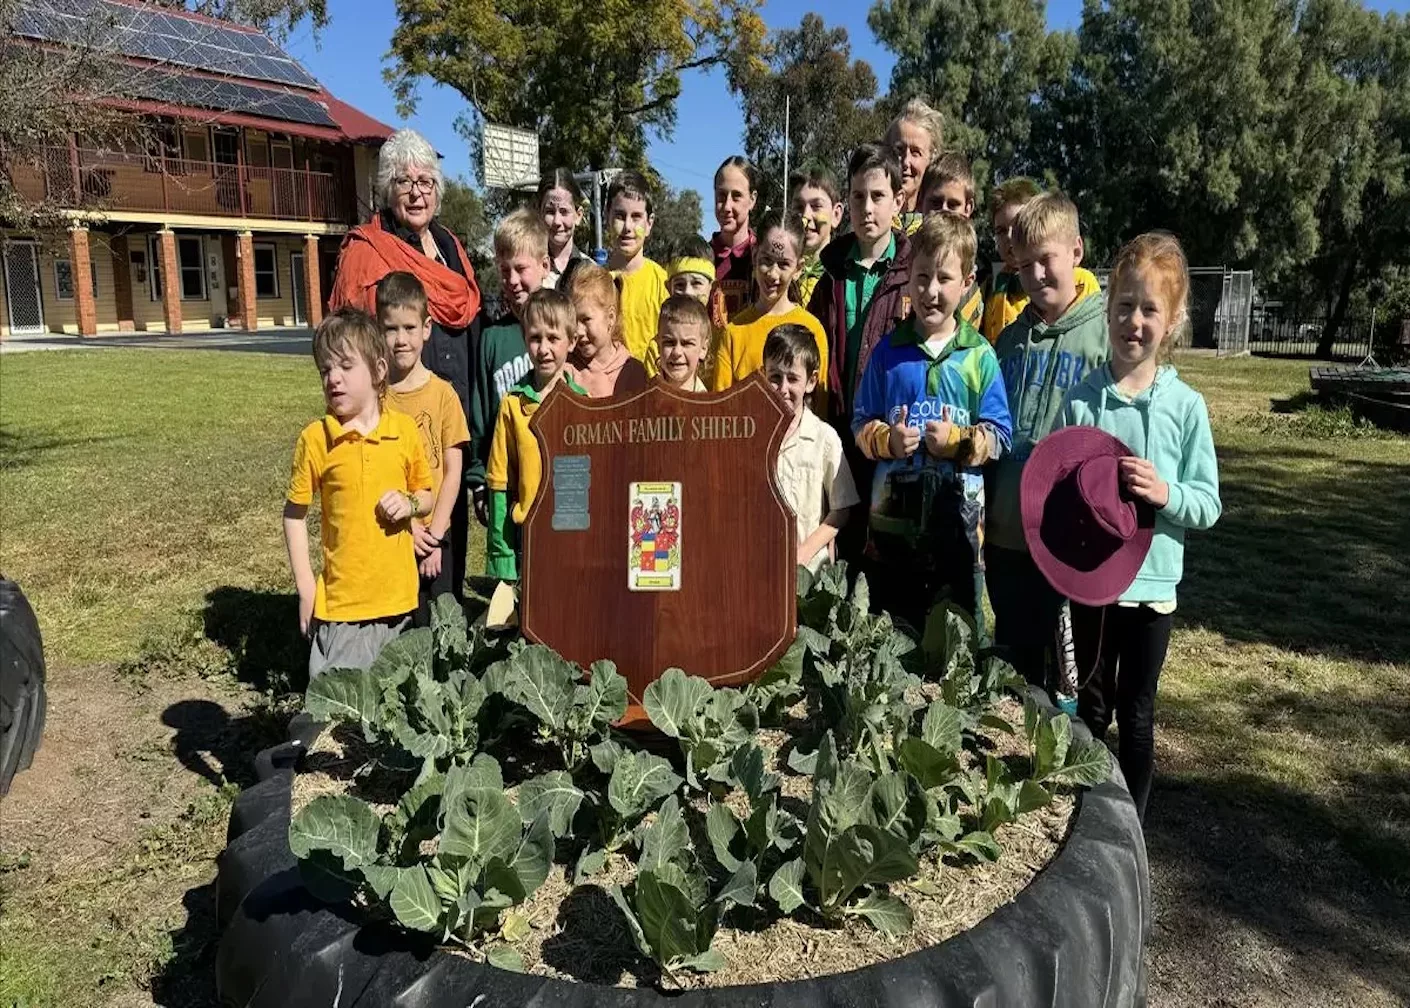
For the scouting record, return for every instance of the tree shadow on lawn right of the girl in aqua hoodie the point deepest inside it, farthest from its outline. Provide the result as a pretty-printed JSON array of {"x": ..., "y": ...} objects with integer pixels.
[{"x": 1311, "y": 562}]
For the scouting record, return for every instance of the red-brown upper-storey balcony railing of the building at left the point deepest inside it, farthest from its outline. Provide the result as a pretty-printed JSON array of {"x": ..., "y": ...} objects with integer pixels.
[{"x": 101, "y": 181}]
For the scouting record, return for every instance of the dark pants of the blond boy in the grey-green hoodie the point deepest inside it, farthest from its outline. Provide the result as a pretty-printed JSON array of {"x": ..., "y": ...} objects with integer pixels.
[{"x": 1026, "y": 611}]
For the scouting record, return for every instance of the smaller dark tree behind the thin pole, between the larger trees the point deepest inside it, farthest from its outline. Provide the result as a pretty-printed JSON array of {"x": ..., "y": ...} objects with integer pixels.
[{"x": 833, "y": 106}]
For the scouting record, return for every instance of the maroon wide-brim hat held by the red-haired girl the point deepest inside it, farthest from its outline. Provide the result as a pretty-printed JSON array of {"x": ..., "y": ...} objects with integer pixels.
[{"x": 1086, "y": 534}]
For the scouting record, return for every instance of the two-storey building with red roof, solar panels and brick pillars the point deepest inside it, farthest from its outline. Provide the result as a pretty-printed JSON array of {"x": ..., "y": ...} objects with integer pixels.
[{"x": 228, "y": 209}]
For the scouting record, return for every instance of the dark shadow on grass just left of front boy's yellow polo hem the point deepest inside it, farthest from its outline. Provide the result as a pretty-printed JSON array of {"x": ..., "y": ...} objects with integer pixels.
[{"x": 262, "y": 632}]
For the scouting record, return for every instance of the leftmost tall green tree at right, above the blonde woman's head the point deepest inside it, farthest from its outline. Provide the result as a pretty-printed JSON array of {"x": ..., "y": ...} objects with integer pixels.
[{"x": 981, "y": 63}]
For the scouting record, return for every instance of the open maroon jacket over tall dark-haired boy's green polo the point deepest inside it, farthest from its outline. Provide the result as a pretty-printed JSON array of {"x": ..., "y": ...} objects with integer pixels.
[{"x": 890, "y": 305}]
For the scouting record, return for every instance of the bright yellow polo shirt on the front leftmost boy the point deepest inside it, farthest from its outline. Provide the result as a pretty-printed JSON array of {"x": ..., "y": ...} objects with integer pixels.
[{"x": 369, "y": 570}]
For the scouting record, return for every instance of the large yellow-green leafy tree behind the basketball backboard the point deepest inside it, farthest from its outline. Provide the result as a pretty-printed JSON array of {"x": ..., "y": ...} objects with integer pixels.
[{"x": 591, "y": 77}]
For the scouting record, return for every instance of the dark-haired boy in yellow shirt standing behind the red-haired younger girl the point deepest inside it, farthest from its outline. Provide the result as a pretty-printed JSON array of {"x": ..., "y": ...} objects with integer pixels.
[{"x": 644, "y": 283}]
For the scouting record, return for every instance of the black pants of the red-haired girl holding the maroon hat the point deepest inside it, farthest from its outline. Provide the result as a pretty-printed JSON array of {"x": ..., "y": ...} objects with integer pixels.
[{"x": 1120, "y": 652}]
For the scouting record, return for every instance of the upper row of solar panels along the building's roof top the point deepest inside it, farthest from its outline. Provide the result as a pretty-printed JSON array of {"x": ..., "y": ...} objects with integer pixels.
[{"x": 147, "y": 35}]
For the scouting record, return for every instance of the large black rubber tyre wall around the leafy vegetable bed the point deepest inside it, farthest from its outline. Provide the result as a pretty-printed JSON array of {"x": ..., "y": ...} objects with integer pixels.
[{"x": 1074, "y": 938}]
